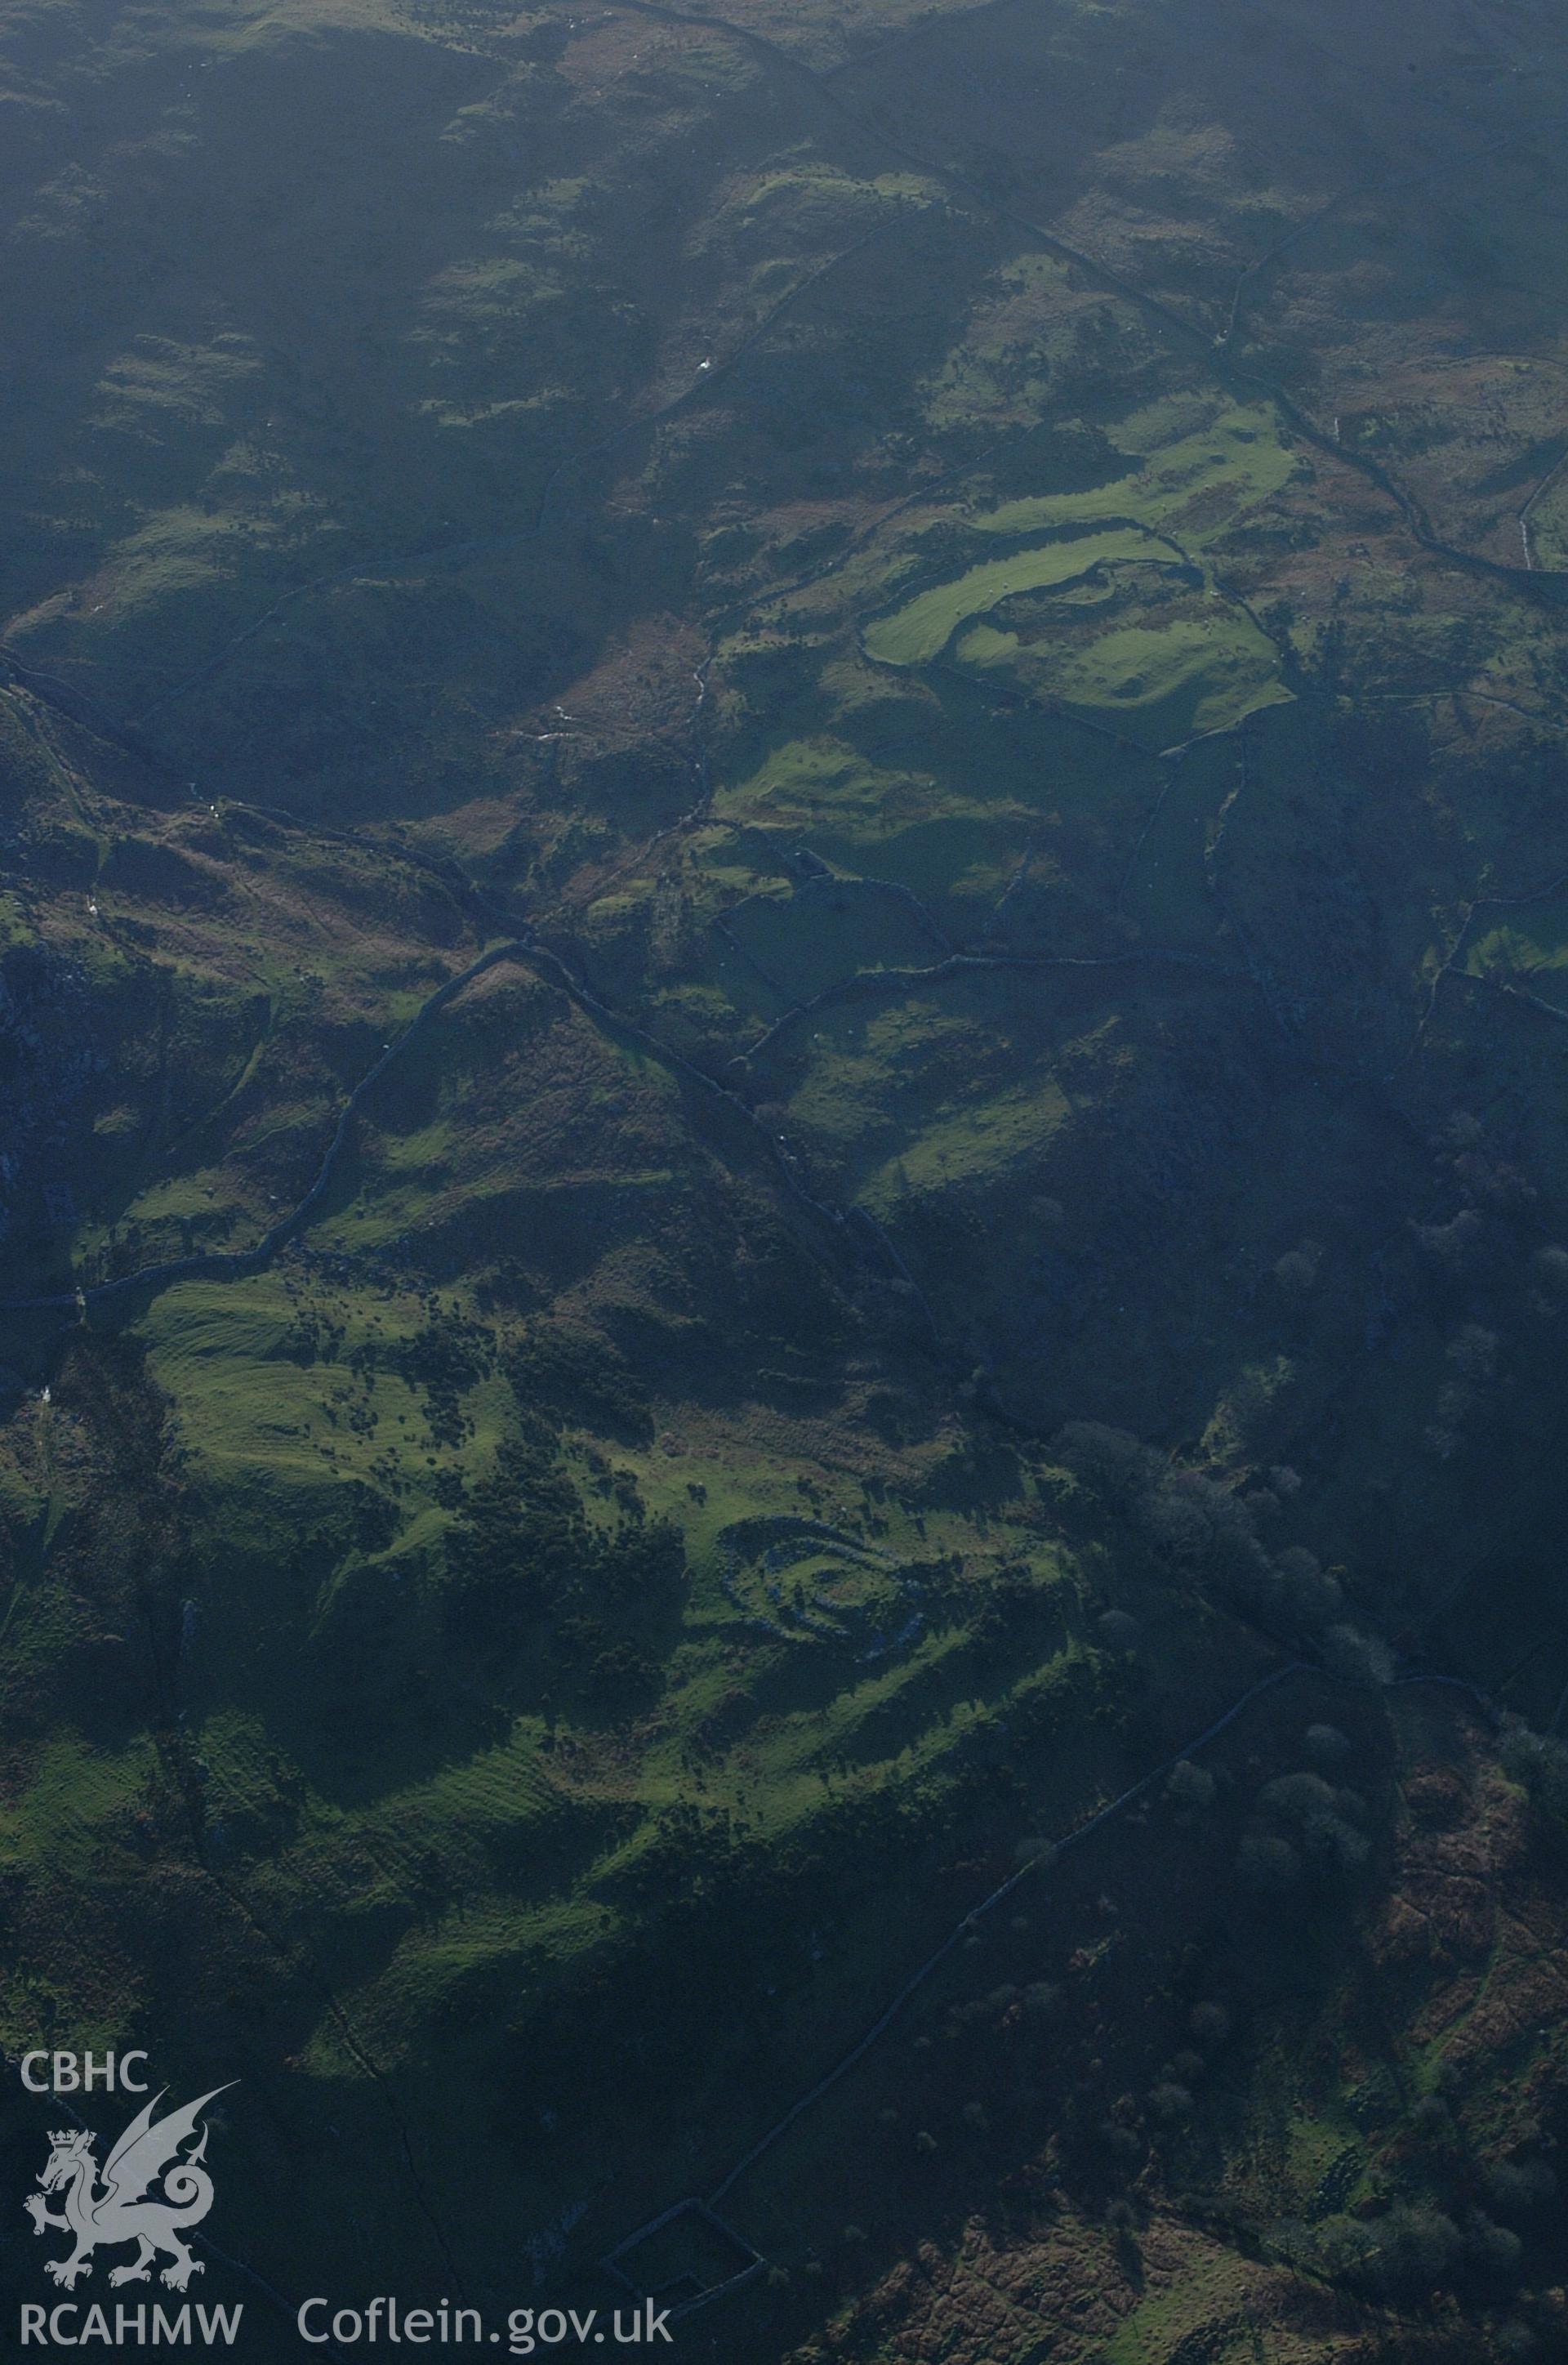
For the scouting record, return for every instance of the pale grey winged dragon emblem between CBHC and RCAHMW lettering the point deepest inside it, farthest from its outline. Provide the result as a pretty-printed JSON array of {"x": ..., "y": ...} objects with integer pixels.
[{"x": 122, "y": 2210}]
